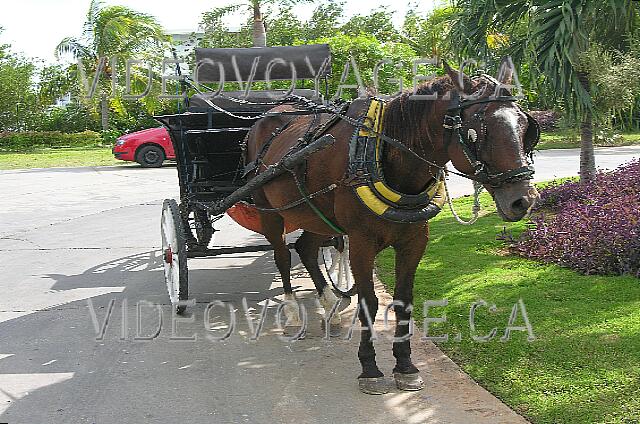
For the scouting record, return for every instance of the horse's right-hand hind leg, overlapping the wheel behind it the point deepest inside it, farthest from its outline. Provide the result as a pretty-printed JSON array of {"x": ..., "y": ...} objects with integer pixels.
[{"x": 307, "y": 246}]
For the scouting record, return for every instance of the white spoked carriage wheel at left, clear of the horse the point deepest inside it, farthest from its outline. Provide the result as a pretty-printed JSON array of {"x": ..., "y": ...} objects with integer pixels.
[{"x": 174, "y": 255}]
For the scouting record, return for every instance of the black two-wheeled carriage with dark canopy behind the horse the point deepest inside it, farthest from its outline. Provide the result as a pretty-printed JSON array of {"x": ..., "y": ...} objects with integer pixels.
[{"x": 208, "y": 140}]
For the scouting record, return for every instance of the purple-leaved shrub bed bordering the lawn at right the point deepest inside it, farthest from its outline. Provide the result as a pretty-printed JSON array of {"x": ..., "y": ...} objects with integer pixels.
[{"x": 592, "y": 227}]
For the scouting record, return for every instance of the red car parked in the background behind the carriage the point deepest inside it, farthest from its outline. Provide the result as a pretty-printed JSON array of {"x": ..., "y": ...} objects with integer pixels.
[{"x": 147, "y": 147}]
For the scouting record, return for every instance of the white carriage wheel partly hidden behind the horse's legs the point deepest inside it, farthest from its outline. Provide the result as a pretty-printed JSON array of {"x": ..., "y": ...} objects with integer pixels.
[{"x": 337, "y": 270}]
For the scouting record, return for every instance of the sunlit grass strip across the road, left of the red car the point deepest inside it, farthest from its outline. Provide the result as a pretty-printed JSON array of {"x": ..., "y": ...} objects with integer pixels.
[{"x": 49, "y": 158}]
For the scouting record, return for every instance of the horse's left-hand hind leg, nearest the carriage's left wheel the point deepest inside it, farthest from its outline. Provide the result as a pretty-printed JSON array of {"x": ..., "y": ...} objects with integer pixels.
[{"x": 273, "y": 230}]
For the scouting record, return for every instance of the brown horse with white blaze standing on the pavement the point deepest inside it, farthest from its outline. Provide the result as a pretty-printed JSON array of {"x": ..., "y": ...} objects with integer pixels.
[{"x": 418, "y": 124}]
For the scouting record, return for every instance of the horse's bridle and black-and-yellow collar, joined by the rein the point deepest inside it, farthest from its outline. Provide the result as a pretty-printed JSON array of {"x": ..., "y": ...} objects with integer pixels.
[{"x": 365, "y": 160}]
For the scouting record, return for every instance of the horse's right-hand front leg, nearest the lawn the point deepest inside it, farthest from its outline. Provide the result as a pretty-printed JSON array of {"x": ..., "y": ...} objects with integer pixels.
[{"x": 409, "y": 252}]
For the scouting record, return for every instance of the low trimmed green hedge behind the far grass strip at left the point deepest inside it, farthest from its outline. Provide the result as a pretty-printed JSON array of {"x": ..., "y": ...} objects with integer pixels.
[{"x": 26, "y": 141}]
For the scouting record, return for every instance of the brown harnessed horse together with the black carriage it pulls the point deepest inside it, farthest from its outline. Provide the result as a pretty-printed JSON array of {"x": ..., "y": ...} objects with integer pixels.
[{"x": 369, "y": 169}]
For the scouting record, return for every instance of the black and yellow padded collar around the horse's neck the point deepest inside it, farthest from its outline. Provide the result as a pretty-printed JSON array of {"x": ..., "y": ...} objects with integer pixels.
[{"x": 366, "y": 175}]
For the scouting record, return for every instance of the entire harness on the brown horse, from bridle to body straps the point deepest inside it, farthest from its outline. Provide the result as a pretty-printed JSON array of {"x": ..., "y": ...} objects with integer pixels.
[{"x": 365, "y": 173}]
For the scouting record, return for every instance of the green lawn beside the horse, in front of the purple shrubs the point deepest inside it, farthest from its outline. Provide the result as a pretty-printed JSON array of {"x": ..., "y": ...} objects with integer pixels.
[{"x": 583, "y": 367}]
